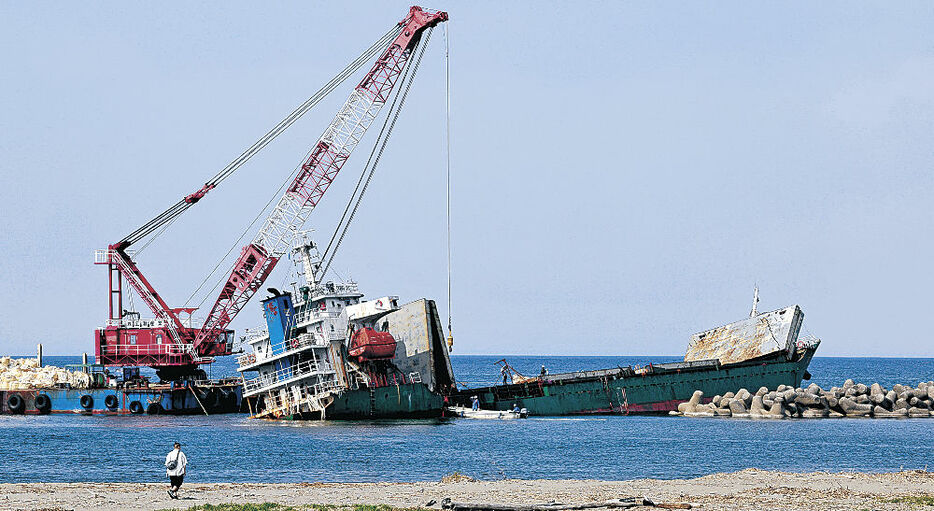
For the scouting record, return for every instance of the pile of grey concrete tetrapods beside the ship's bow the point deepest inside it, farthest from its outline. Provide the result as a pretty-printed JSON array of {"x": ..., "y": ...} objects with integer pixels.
[{"x": 850, "y": 400}]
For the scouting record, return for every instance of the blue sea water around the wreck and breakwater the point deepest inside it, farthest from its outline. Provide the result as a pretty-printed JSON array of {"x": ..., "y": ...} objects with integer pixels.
[{"x": 233, "y": 448}]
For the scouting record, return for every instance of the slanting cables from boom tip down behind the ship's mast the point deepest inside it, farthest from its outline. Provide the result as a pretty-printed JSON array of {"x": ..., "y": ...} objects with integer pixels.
[{"x": 384, "y": 134}]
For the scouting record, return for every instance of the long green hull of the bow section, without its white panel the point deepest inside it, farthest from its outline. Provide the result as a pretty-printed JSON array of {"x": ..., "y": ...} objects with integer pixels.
[{"x": 652, "y": 390}]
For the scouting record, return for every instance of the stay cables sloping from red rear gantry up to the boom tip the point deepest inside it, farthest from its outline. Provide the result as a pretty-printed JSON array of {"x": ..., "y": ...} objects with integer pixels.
[{"x": 181, "y": 206}]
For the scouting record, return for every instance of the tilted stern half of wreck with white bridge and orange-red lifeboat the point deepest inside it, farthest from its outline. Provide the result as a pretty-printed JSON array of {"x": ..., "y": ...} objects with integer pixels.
[{"x": 328, "y": 353}]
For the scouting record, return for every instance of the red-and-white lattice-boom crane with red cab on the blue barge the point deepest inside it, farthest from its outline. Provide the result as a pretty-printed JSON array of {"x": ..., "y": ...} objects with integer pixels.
[{"x": 171, "y": 343}]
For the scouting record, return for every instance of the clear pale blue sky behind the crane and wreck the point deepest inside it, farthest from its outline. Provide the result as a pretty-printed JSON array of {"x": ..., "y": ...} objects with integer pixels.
[{"x": 623, "y": 173}]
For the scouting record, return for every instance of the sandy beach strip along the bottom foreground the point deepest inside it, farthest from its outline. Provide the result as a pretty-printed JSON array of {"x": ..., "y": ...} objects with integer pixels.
[{"x": 750, "y": 489}]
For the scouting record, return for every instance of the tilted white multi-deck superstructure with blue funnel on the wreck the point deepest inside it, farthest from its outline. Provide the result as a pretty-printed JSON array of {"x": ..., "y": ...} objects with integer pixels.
[{"x": 300, "y": 360}]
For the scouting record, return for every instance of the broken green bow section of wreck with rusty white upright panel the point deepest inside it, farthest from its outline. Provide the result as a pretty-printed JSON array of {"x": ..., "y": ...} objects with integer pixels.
[{"x": 760, "y": 351}]
